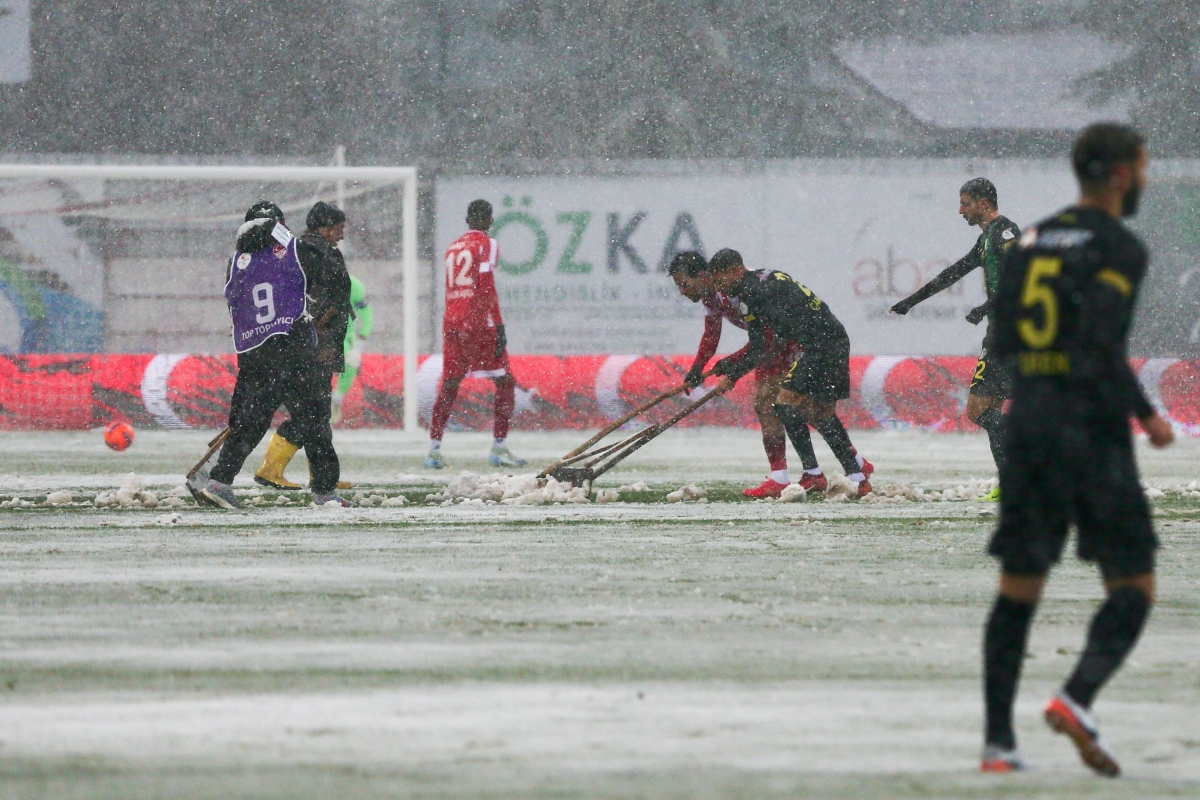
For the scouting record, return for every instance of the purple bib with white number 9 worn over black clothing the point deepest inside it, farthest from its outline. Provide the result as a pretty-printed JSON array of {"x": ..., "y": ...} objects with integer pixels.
[{"x": 266, "y": 292}]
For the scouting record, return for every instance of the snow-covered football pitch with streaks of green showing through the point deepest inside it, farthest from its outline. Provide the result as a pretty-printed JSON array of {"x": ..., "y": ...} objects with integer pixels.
[{"x": 451, "y": 648}]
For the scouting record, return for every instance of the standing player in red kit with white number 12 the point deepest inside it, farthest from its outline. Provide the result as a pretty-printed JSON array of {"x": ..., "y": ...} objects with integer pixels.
[{"x": 473, "y": 336}]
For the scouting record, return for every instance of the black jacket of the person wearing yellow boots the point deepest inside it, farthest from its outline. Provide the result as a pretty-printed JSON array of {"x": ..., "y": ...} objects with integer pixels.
[{"x": 329, "y": 297}]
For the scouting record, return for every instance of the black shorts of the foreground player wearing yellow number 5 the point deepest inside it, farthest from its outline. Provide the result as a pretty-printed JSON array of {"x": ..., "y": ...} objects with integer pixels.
[{"x": 1067, "y": 464}]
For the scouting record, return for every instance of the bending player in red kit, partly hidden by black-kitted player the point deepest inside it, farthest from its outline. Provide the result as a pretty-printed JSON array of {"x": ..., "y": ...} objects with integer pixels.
[{"x": 685, "y": 270}]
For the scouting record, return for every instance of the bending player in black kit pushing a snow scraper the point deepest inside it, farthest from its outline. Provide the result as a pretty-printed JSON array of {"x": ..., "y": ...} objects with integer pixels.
[{"x": 815, "y": 382}]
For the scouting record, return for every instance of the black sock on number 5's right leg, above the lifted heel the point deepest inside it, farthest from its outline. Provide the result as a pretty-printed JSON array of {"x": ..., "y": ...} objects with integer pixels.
[{"x": 1114, "y": 631}]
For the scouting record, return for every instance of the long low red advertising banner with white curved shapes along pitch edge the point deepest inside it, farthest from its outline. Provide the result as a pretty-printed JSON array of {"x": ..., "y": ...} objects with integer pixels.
[{"x": 193, "y": 392}]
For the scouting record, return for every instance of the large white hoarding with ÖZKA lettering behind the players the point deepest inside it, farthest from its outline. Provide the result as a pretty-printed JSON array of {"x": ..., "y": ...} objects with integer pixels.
[{"x": 584, "y": 267}]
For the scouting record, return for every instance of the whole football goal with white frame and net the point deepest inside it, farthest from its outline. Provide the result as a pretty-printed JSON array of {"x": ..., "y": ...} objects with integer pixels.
[{"x": 109, "y": 260}]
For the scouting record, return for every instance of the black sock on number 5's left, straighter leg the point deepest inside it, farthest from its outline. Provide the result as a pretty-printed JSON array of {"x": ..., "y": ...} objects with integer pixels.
[{"x": 1004, "y": 649}]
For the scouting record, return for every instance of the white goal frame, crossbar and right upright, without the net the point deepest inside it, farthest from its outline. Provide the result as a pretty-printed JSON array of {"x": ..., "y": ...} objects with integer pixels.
[{"x": 337, "y": 176}]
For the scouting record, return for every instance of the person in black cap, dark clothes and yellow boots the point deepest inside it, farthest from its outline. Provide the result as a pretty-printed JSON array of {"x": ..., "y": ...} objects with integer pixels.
[{"x": 328, "y": 291}]
